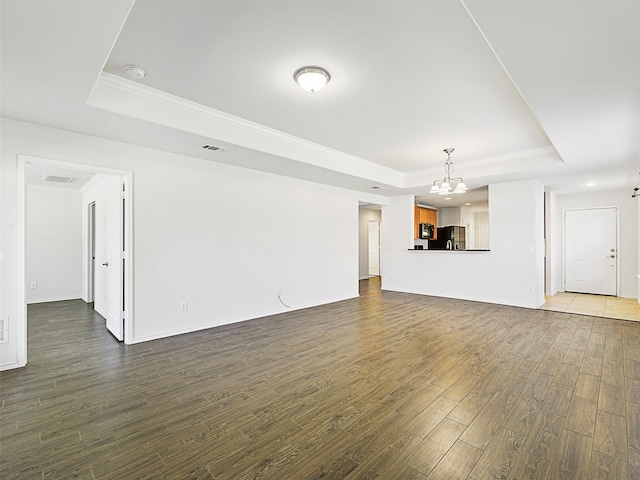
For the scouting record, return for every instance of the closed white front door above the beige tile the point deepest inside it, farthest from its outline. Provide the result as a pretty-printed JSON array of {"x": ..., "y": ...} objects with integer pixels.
[{"x": 591, "y": 256}]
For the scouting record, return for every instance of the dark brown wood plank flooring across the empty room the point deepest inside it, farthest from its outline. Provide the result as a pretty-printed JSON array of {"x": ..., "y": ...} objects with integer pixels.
[{"x": 387, "y": 386}]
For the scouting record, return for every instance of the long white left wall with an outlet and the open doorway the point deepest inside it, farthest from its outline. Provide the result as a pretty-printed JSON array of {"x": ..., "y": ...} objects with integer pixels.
[{"x": 222, "y": 238}]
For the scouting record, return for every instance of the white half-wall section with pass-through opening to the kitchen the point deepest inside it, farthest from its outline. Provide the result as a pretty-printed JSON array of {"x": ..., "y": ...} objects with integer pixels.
[{"x": 512, "y": 273}]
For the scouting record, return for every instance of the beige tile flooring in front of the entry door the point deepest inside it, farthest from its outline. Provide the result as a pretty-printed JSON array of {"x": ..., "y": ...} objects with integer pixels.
[{"x": 595, "y": 305}]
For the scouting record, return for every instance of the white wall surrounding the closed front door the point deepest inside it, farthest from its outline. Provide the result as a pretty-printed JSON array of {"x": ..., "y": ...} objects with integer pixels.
[{"x": 628, "y": 254}]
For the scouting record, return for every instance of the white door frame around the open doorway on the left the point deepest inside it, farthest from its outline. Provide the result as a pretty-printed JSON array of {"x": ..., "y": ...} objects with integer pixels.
[{"x": 21, "y": 202}]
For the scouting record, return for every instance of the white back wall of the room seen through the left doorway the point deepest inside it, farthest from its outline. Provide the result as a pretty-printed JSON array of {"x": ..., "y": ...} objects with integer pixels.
[{"x": 54, "y": 244}]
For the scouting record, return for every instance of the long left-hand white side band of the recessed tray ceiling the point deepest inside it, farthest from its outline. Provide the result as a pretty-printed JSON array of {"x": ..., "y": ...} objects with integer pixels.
[{"x": 136, "y": 100}]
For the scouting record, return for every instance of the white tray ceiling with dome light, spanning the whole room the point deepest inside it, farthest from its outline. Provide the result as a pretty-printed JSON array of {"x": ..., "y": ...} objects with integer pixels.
[{"x": 547, "y": 90}]
